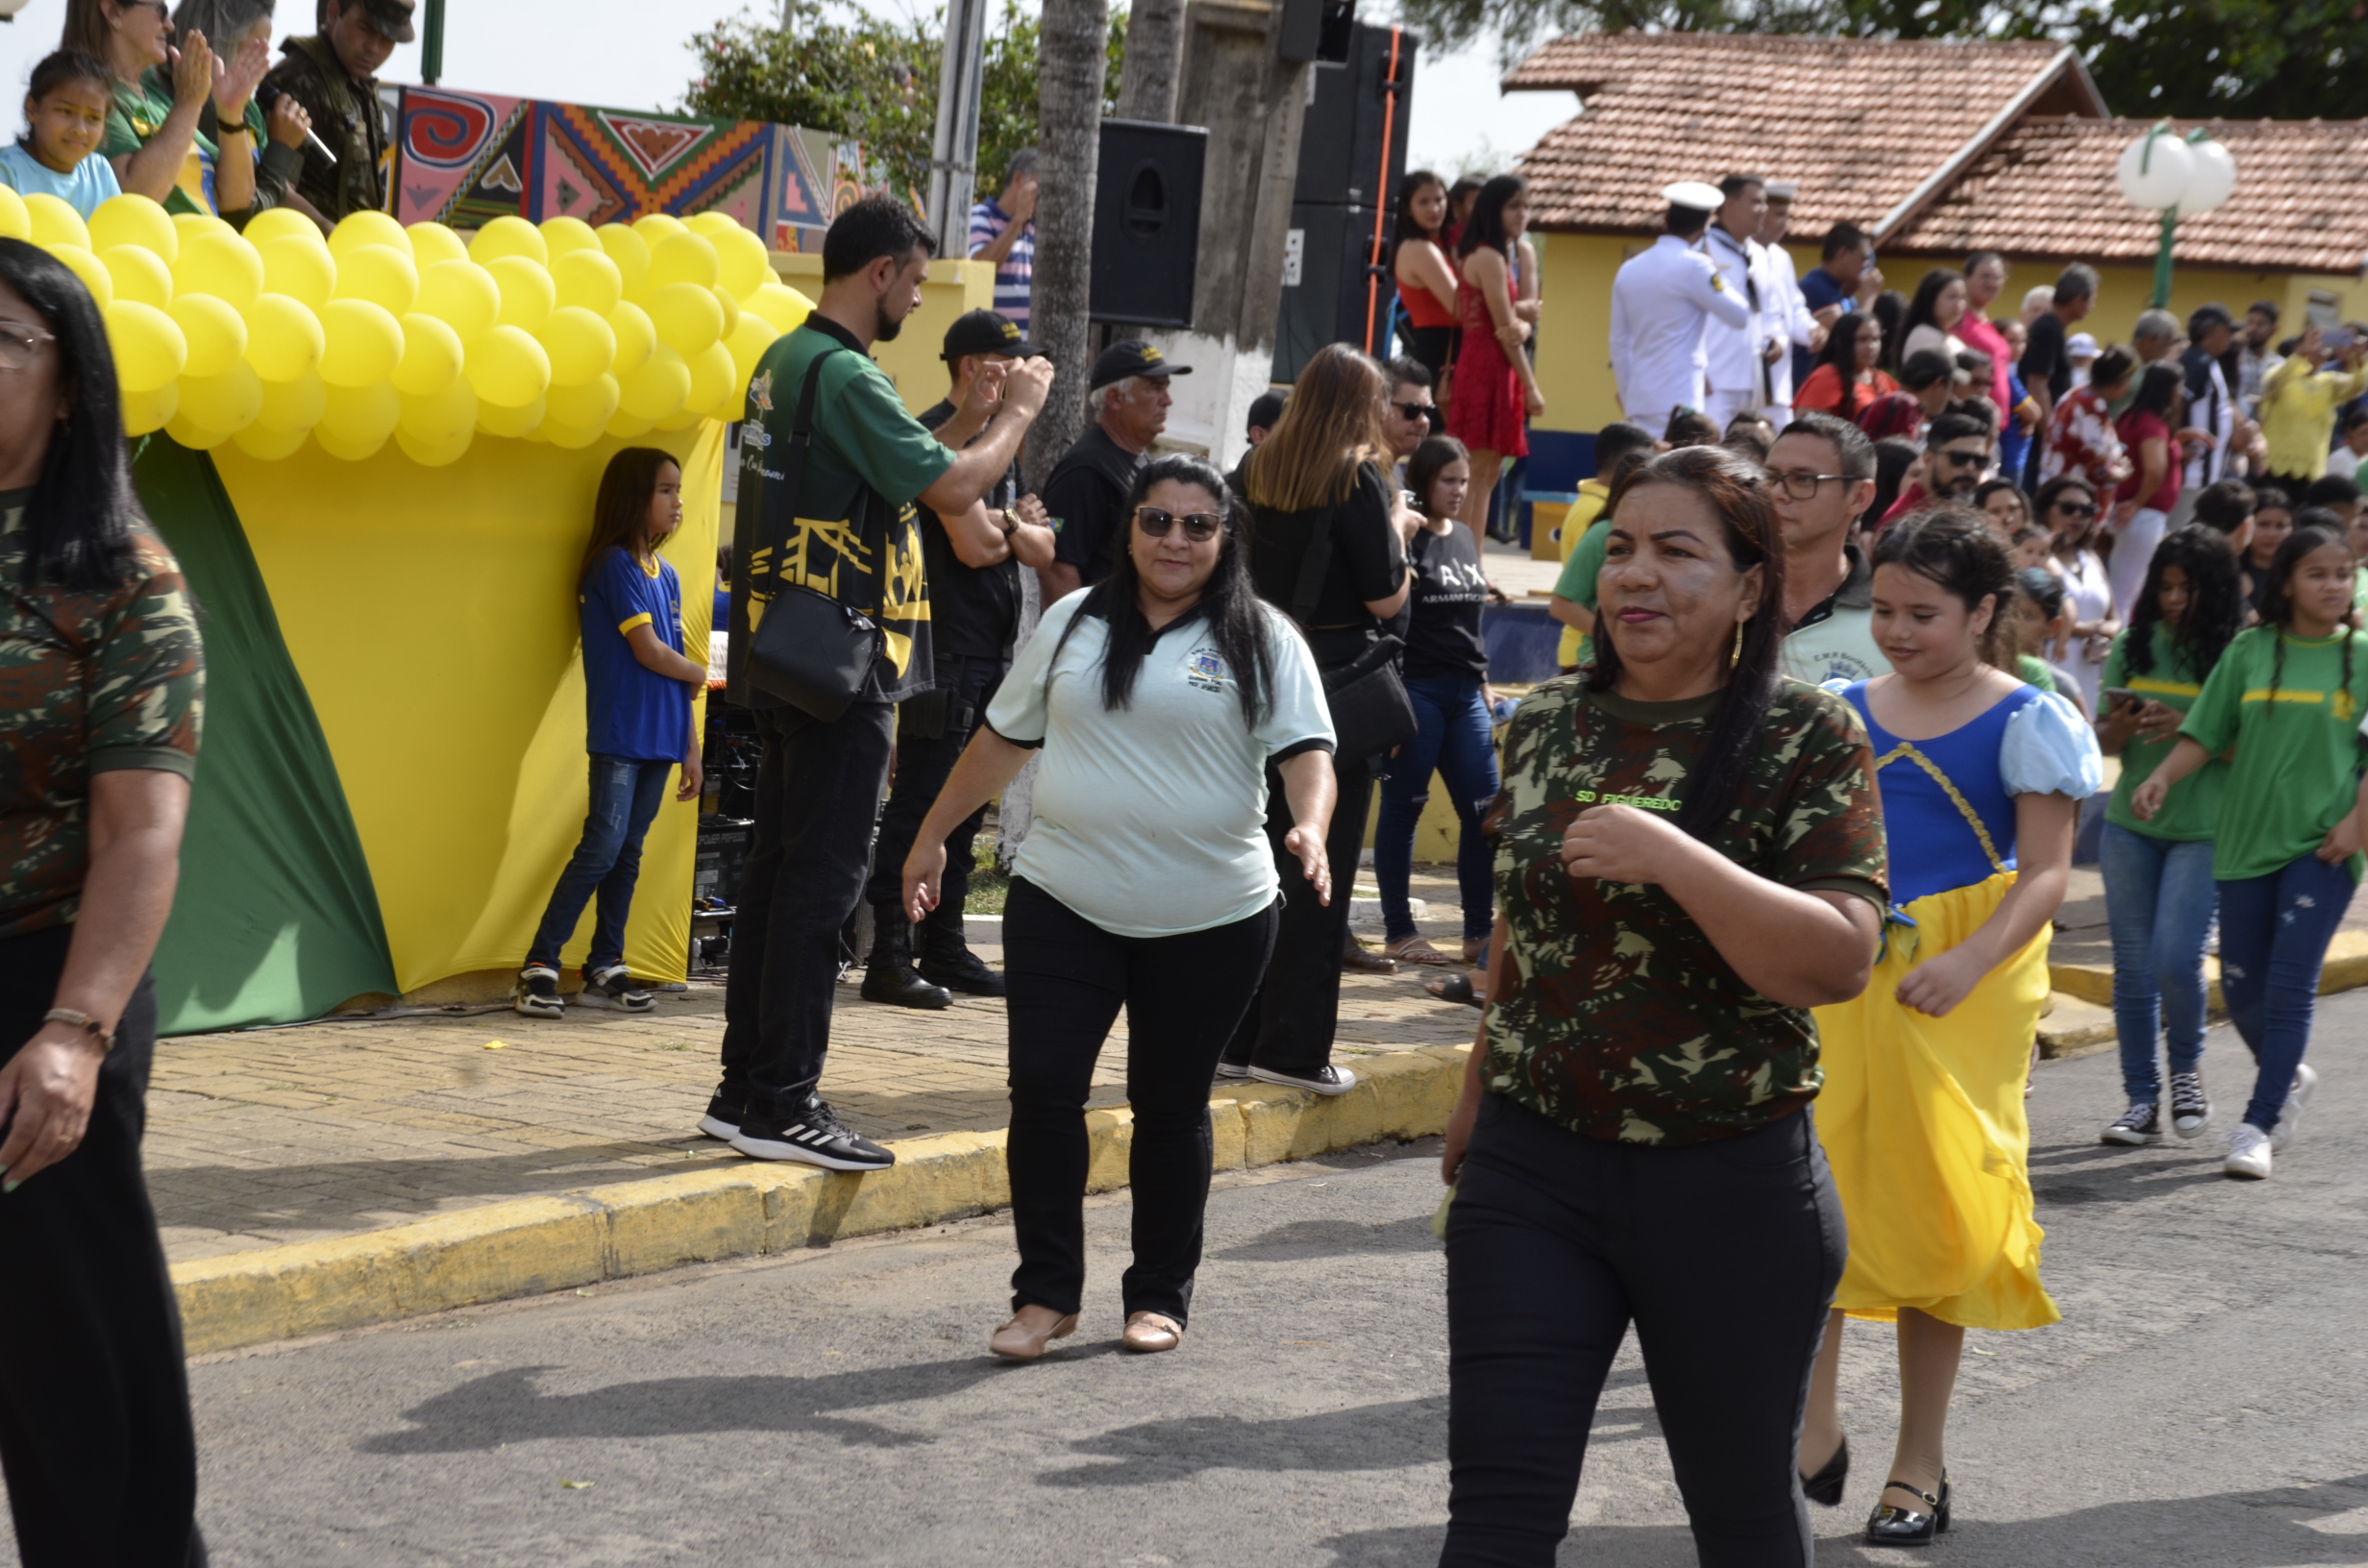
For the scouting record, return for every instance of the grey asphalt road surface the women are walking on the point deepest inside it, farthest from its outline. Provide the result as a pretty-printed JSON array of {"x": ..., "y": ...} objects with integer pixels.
[{"x": 2206, "y": 1399}]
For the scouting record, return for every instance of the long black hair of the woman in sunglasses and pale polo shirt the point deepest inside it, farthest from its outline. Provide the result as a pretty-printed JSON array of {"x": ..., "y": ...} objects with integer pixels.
[{"x": 1230, "y": 608}]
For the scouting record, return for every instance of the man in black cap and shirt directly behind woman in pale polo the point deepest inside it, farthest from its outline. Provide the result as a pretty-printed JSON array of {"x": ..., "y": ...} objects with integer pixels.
[{"x": 1088, "y": 491}]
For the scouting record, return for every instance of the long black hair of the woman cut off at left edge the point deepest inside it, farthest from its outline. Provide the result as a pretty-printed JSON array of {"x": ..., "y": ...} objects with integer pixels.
[{"x": 84, "y": 510}]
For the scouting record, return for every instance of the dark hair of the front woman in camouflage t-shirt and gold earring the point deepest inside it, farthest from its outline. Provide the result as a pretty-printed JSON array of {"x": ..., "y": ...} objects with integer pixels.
[{"x": 1739, "y": 499}]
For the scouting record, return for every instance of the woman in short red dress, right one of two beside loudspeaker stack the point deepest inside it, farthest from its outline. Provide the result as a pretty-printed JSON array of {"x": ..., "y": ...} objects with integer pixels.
[{"x": 1495, "y": 383}]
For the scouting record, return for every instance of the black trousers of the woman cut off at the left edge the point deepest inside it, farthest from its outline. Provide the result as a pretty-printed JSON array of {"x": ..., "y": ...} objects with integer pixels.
[{"x": 94, "y": 1394}]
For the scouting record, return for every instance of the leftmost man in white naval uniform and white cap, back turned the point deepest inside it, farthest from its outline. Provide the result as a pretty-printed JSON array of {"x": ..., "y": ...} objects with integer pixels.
[{"x": 1664, "y": 300}]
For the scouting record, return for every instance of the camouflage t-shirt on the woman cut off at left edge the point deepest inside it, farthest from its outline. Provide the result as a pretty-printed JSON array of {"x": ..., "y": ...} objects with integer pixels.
[{"x": 89, "y": 683}]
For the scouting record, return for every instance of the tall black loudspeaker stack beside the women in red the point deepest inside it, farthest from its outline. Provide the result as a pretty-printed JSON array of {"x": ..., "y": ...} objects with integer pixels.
[{"x": 1353, "y": 155}]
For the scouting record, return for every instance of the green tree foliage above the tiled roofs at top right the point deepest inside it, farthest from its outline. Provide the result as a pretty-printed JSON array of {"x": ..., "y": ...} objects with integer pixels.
[{"x": 2182, "y": 58}]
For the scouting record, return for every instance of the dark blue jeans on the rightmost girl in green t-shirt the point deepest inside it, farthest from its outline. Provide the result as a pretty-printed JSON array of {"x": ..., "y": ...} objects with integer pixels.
[{"x": 2274, "y": 937}]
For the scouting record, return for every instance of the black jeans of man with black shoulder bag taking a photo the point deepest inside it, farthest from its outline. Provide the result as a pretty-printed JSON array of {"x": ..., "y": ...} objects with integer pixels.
[{"x": 818, "y": 795}]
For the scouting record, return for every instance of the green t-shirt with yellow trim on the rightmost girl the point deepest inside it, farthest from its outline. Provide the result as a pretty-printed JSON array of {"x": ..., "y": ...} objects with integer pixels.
[{"x": 2298, "y": 752}]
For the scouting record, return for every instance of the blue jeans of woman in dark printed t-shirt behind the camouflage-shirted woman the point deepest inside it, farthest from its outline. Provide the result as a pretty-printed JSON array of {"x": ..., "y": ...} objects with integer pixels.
[{"x": 1453, "y": 740}]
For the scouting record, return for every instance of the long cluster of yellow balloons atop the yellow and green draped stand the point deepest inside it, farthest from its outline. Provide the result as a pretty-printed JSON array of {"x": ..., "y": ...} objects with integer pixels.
[{"x": 382, "y": 333}]
